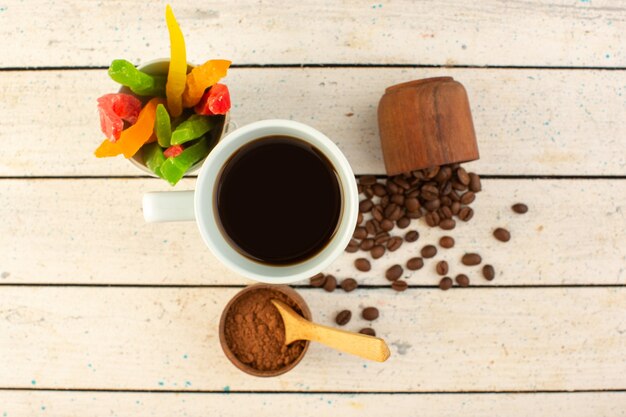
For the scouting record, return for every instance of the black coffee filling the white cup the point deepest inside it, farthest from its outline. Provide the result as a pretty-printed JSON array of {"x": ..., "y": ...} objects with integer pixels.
[{"x": 278, "y": 200}]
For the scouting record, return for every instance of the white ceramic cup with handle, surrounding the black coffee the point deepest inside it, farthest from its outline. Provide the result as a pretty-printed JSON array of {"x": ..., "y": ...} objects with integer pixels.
[{"x": 199, "y": 205}]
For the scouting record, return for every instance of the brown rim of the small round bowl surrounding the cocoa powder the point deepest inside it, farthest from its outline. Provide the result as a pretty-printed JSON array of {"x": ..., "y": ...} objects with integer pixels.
[{"x": 284, "y": 289}]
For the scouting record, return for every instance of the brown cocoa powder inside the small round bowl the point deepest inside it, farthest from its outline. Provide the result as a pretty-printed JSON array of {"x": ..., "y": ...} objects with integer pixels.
[{"x": 255, "y": 333}]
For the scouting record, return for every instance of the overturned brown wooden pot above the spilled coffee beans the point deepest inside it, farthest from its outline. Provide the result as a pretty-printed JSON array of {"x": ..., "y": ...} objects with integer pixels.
[{"x": 426, "y": 123}]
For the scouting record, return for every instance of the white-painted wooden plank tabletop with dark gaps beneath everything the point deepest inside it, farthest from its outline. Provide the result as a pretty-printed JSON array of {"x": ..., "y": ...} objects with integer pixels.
[{"x": 101, "y": 314}]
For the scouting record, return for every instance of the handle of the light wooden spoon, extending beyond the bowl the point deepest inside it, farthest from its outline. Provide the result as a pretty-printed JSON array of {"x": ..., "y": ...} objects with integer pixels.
[{"x": 367, "y": 347}]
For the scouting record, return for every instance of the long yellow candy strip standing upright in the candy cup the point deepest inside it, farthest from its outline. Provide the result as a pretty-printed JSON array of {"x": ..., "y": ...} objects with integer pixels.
[{"x": 177, "y": 75}]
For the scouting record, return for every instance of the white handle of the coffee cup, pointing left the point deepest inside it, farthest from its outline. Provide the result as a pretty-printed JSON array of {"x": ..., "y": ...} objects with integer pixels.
[{"x": 168, "y": 206}]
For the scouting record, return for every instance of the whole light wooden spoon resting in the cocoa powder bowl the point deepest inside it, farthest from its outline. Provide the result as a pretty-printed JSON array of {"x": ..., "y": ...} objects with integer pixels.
[{"x": 298, "y": 328}]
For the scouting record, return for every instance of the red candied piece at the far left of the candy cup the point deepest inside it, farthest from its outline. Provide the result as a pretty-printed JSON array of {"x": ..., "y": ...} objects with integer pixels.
[{"x": 114, "y": 109}]
